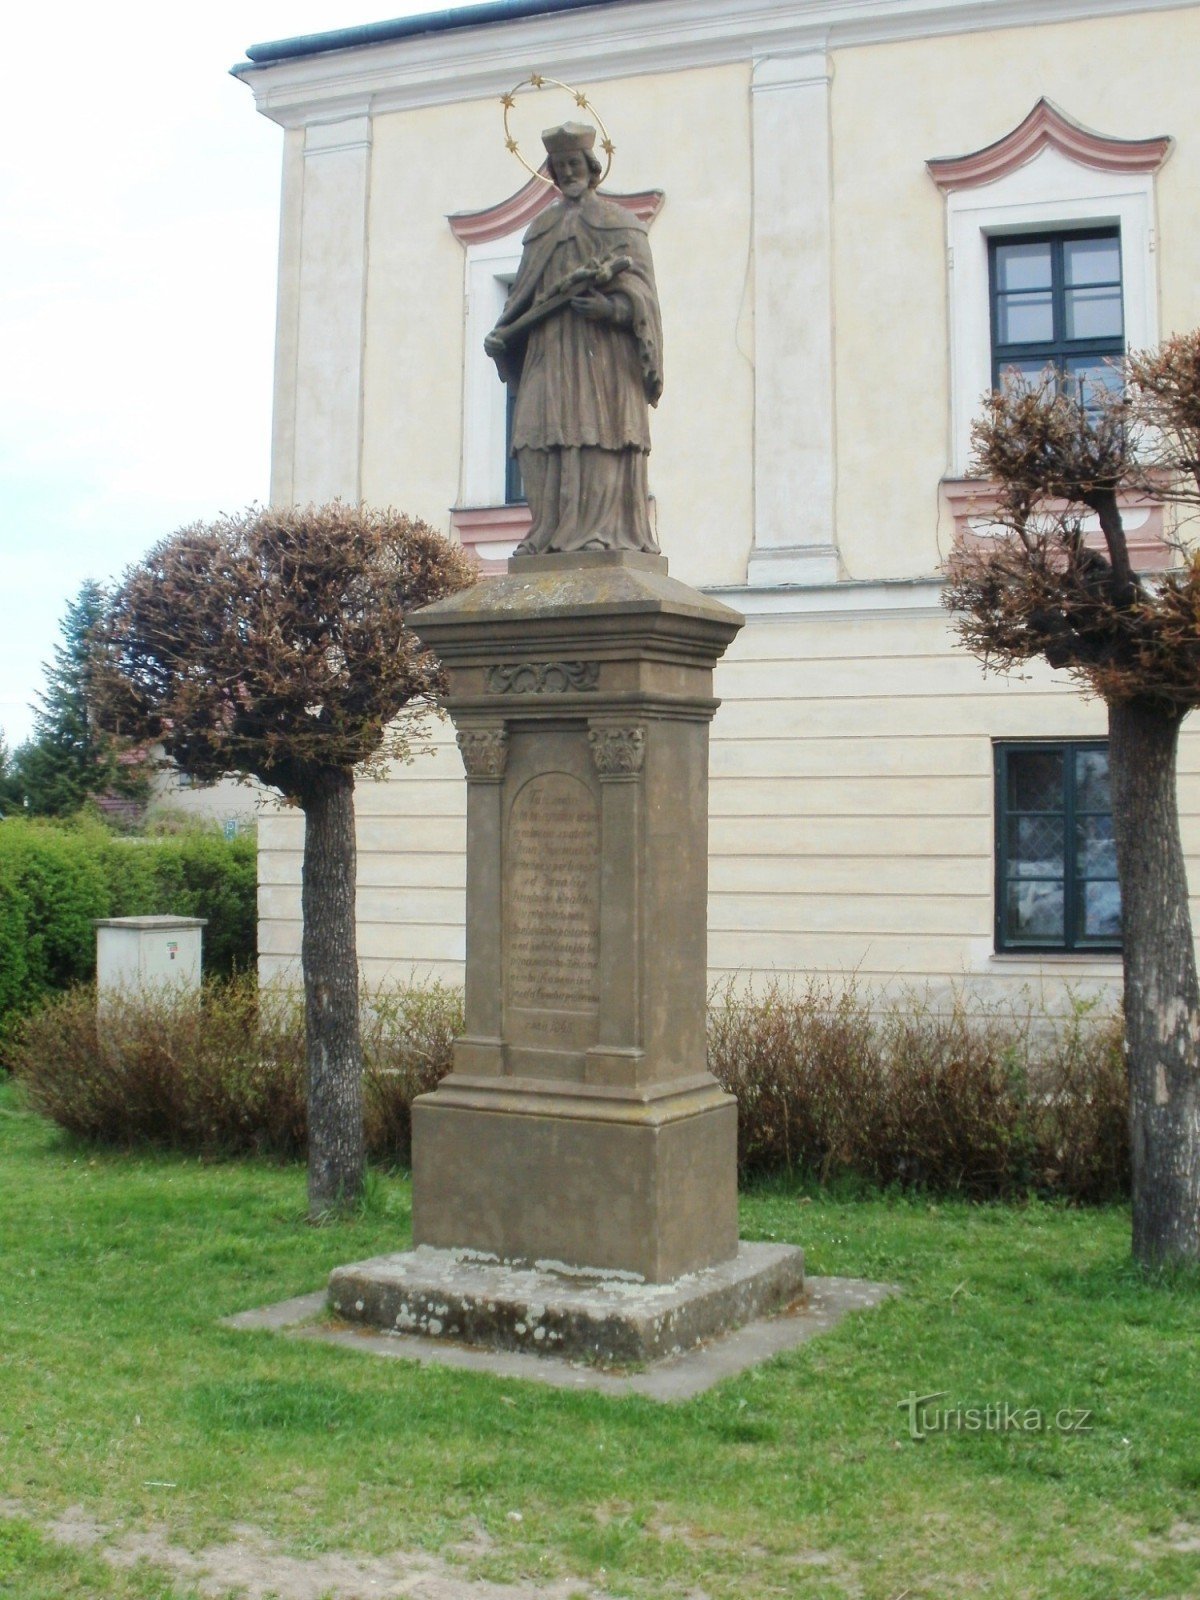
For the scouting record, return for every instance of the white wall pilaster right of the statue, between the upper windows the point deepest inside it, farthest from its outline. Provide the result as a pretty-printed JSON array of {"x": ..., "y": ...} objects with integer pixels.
[{"x": 794, "y": 538}]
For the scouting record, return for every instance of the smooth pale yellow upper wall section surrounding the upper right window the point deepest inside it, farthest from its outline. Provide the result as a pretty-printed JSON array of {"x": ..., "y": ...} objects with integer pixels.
[{"x": 895, "y": 108}]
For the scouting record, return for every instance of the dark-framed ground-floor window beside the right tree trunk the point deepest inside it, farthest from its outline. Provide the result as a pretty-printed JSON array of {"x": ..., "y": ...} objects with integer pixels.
[{"x": 1055, "y": 857}]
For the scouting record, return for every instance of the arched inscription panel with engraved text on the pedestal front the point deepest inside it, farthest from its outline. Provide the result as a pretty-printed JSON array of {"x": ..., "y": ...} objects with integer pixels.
[{"x": 553, "y": 914}]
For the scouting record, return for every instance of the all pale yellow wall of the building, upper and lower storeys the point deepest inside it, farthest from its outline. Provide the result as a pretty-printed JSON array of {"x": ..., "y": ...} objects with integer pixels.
[{"x": 852, "y": 761}]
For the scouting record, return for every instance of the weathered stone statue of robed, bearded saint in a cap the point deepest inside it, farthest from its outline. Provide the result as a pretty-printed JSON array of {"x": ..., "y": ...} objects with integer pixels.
[{"x": 582, "y": 340}]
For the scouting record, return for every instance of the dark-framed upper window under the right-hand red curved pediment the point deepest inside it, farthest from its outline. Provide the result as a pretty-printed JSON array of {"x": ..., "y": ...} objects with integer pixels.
[{"x": 1057, "y": 302}]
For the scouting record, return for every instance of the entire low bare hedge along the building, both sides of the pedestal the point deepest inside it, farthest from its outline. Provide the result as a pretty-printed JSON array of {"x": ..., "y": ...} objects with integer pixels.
[{"x": 828, "y": 1084}]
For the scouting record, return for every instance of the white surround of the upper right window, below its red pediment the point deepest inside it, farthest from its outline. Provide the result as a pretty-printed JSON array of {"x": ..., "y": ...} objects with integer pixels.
[{"x": 1049, "y": 194}]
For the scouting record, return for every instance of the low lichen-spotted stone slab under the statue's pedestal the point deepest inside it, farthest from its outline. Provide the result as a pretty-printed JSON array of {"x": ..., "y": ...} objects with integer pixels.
[{"x": 546, "y": 1310}]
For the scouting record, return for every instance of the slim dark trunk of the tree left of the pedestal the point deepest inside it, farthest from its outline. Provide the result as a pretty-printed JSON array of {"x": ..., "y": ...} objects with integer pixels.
[{"x": 330, "y": 959}]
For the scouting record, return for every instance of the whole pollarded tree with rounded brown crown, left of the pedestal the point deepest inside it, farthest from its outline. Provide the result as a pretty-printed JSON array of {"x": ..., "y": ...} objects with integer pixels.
[{"x": 273, "y": 646}]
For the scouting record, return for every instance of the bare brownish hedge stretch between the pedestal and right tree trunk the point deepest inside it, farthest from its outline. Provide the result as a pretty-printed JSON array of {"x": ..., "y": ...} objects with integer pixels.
[{"x": 916, "y": 1095}]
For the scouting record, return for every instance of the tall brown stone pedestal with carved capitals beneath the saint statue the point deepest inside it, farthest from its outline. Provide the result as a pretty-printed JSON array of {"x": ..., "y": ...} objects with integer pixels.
[{"x": 580, "y": 1122}]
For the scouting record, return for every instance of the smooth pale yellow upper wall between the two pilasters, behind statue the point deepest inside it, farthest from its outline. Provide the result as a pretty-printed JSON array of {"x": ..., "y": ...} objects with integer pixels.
[{"x": 687, "y": 134}]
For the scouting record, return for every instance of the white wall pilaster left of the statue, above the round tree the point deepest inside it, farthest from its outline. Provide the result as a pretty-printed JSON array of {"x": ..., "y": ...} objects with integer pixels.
[{"x": 330, "y": 337}]
